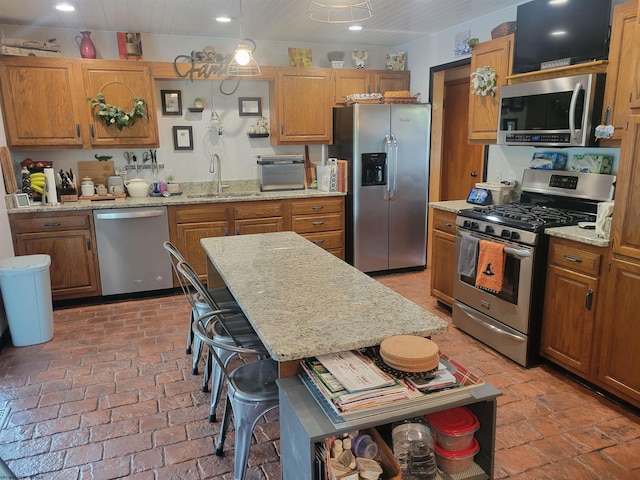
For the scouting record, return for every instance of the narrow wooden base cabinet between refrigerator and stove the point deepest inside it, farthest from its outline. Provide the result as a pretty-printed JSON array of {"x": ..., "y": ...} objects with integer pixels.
[{"x": 443, "y": 254}]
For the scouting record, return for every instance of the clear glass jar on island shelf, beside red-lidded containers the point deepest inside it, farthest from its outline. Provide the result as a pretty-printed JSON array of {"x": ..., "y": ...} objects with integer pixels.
[{"x": 413, "y": 441}]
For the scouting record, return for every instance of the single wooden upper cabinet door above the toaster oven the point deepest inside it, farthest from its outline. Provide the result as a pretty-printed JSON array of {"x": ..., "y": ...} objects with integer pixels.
[{"x": 303, "y": 100}]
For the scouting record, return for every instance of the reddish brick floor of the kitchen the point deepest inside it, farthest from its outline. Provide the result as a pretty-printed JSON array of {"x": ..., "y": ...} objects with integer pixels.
[{"x": 112, "y": 396}]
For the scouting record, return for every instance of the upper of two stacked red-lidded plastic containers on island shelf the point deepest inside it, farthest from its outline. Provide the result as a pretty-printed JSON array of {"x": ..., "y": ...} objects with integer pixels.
[{"x": 454, "y": 428}]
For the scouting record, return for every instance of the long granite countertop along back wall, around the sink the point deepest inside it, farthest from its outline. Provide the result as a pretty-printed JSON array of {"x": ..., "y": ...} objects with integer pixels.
[{"x": 193, "y": 193}]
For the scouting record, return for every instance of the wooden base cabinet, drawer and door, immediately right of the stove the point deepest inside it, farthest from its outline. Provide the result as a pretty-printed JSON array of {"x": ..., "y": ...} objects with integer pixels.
[{"x": 570, "y": 303}]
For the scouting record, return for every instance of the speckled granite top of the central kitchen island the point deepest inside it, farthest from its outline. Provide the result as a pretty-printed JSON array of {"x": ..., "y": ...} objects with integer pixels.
[{"x": 304, "y": 301}]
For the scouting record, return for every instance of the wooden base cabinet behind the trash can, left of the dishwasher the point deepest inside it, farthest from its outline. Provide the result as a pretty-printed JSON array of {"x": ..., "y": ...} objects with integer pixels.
[{"x": 68, "y": 238}]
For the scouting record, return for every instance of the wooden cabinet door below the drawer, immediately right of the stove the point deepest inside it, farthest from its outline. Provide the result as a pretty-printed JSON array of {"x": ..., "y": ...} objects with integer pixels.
[{"x": 567, "y": 323}]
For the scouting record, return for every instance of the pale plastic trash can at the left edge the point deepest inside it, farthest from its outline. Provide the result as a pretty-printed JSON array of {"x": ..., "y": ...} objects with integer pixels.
[{"x": 26, "y": 291}]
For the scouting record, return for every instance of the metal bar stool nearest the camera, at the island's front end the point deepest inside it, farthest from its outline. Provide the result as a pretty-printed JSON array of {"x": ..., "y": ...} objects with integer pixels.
[{"x": 251, "y": 391}]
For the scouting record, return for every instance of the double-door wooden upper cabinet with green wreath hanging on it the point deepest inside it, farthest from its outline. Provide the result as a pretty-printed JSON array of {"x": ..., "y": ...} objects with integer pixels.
[{"x": 45, "y": 105}]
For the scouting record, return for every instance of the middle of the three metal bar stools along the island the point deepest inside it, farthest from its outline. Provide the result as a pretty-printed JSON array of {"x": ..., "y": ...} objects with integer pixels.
[{"x": 237, "y": 331}]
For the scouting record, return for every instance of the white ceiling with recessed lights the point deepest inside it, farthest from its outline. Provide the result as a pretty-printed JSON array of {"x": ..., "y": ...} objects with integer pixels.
[{"x": 394, "y": 23}]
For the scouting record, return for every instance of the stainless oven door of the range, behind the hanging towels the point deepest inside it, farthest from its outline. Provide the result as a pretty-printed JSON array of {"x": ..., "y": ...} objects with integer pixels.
[{"x": 512, "y": 305}]
